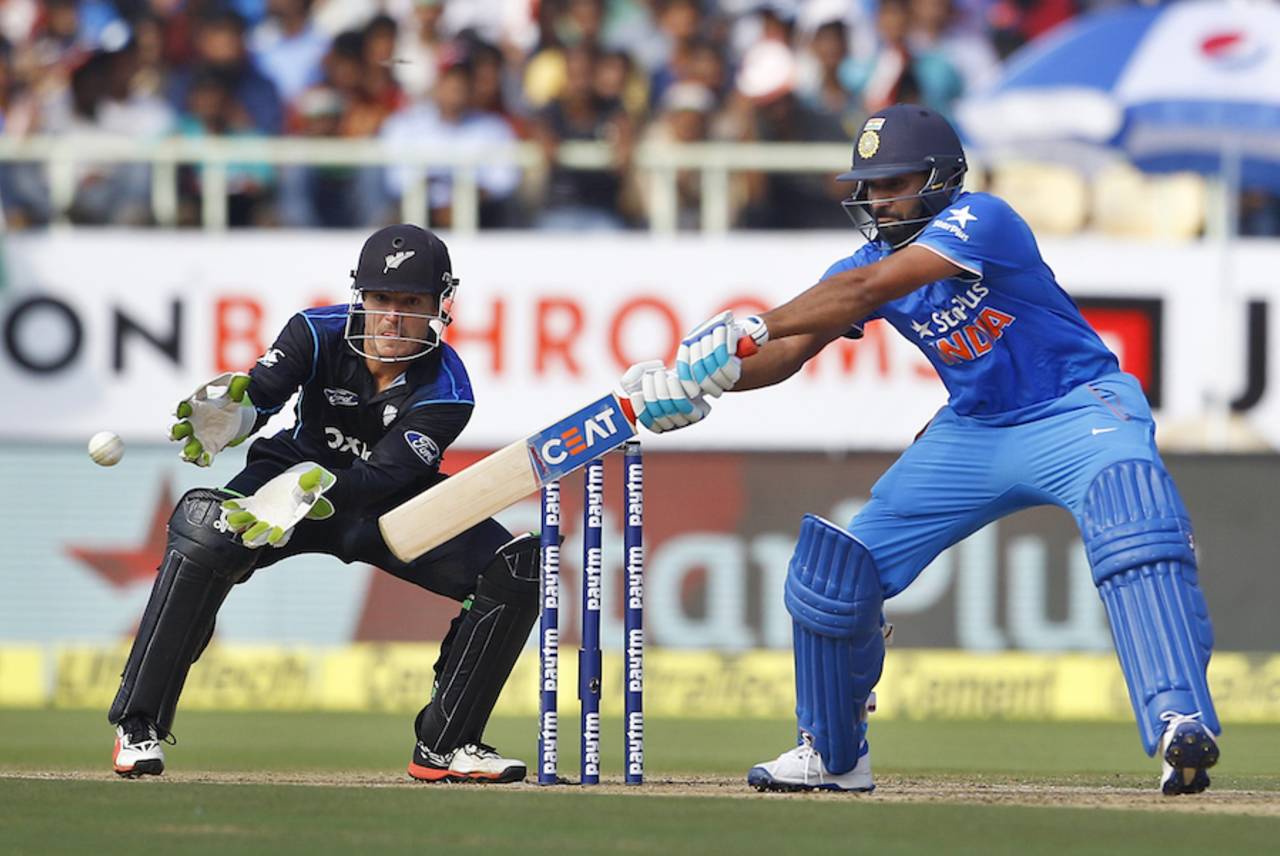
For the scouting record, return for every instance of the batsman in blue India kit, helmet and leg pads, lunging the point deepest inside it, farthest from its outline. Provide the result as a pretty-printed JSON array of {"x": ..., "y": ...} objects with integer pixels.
[{"x": 1039, "y": 414}]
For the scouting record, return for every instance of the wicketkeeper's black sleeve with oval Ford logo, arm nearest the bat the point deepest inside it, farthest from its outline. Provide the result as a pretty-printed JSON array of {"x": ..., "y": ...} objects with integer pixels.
[{"x": 410, "y": 451}]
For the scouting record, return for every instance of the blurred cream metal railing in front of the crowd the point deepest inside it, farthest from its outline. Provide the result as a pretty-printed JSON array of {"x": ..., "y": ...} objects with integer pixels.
[{"x": 659, "y": 166}]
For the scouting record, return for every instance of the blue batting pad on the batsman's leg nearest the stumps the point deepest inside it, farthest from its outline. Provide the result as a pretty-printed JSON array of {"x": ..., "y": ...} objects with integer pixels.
[{"x": 835, "y": 599}]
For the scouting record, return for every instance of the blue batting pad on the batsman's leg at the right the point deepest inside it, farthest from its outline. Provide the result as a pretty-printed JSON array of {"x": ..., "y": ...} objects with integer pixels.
[{"x": 1140, "y": 543}]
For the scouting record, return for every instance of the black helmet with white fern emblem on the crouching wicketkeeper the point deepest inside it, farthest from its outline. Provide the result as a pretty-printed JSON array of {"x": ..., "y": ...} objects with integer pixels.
[{"x": 405, "y": 259}]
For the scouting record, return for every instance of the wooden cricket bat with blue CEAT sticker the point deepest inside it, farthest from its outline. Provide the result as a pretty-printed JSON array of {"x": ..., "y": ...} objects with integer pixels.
[{"x": 509, "y": 475}]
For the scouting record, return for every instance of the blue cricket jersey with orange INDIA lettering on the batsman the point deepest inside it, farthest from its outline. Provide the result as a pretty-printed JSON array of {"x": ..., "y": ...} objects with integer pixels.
[{"x": 1004, "y": 335}]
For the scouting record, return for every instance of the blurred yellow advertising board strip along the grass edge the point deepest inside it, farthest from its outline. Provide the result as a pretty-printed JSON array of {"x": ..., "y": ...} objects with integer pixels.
[{"x": 397, "y": 678}]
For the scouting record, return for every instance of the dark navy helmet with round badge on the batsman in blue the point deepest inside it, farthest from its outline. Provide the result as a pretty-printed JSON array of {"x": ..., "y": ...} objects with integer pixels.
[{"x": 902, "y": 140}]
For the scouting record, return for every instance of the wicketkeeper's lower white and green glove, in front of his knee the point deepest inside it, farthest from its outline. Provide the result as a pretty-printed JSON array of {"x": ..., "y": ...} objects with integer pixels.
[{"x": 271, "y": 515}]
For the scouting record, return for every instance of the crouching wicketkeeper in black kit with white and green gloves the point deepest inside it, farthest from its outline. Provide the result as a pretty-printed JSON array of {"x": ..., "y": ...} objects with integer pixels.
[{"x": 382, "y": 397}]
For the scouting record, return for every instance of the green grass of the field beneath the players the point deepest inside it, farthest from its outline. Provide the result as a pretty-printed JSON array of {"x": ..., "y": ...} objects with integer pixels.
[{"x": 92, "y": 814}]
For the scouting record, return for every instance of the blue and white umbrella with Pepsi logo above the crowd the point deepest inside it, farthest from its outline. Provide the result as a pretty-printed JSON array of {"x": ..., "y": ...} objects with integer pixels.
[{"x": 1176, "y": 88}]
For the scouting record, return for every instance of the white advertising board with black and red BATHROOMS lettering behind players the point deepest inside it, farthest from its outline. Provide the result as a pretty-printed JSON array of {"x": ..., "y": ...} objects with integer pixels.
[{"x": 109, "y": 329}]
